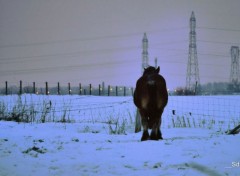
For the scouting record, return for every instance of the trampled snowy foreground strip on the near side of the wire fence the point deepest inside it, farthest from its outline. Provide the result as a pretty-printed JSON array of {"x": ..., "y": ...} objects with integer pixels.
[{"x": 75, "y": 149}]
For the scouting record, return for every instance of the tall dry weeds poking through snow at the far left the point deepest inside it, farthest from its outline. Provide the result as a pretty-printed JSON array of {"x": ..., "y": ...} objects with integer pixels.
[{"x": 23, "y": 111}]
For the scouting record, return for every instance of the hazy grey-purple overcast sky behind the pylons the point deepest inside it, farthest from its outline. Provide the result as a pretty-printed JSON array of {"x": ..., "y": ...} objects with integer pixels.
[{"x": 91, "y": 41}]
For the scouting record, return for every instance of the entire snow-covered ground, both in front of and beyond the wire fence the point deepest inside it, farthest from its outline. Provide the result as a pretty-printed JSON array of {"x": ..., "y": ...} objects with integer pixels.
[{"x": 88, "y": 135}]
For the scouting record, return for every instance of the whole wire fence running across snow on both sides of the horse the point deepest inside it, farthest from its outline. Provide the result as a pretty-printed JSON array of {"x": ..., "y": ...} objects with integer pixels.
[{"x": 212, "y": 112}]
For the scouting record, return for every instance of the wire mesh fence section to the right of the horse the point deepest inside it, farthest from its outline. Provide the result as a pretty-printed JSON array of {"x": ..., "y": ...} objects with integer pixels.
[{"x": 221, "y": 112}]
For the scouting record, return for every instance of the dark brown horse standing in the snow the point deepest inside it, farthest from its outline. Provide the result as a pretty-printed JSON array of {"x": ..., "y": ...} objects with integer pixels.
[{"x": 150, "y": 97}]
